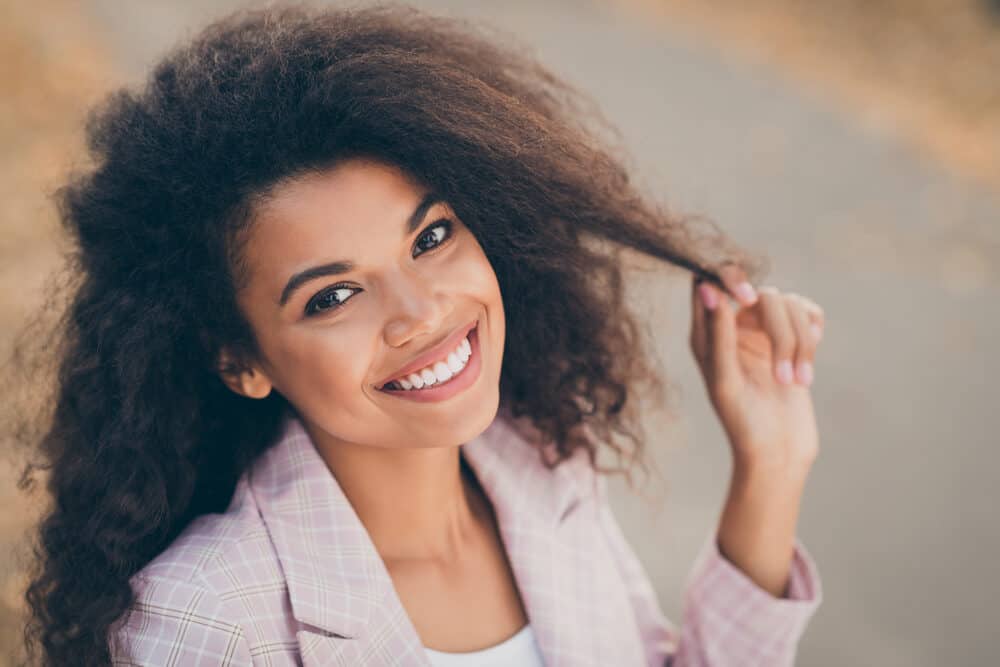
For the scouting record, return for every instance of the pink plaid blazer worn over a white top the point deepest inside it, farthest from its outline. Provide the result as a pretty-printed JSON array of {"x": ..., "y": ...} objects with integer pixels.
[{"x": 288, "y": 576}]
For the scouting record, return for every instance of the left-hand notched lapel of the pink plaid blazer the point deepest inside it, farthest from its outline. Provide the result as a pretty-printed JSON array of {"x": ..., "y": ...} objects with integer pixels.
[{"x": 337, "y": 583}]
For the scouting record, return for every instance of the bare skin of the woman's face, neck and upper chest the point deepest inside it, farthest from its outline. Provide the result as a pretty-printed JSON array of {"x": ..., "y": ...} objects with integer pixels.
[{"x": 397, "y": 460}]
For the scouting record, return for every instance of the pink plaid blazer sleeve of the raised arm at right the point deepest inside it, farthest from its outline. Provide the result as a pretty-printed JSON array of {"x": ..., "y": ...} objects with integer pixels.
[{"x": 727, "y": 619}]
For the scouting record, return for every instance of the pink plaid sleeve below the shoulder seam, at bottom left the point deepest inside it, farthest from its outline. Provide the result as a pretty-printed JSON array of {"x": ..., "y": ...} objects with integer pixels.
[{"x": 178, "y": 623}]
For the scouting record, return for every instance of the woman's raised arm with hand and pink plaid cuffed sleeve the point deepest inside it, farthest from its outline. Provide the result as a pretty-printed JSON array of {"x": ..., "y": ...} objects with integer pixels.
[{"x": 750, "y": 605}]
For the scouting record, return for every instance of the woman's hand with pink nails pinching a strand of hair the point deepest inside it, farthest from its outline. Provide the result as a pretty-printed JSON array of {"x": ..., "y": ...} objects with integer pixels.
[{"x": 746, "y": 354}]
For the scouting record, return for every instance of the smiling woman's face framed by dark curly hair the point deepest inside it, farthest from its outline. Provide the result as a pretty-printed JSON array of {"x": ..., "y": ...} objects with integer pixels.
[{"x": 329, "y": 340}]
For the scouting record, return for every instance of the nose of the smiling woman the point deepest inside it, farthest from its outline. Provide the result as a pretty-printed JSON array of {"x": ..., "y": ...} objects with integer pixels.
[{"x": 416, "y": 308}]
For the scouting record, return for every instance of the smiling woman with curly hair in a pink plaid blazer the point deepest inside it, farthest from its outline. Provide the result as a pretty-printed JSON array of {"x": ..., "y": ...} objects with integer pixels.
[{"x": 348, "y": 336}]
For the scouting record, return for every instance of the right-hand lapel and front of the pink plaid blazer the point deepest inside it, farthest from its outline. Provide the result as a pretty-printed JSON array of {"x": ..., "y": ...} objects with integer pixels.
[{"x": 567, "y": 577}]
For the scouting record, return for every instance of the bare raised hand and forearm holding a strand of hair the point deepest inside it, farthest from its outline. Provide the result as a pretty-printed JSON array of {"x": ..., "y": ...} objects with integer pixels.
[{"x": 745, "y": 352}]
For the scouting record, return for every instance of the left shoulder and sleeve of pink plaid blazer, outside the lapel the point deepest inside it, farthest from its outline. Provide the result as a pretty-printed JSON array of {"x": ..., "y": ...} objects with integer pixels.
[{"x": 195, "y": 601}]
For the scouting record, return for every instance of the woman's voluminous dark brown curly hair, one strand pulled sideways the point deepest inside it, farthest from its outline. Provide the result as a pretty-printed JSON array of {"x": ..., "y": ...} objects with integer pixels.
[{"x": 140, "y": 435}]
